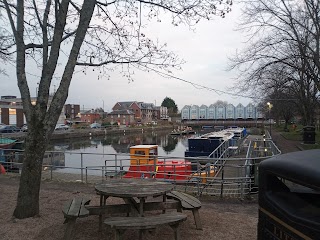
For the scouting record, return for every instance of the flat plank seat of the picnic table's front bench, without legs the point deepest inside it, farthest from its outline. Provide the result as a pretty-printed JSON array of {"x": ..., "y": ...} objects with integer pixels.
[{"x": 147, "y": 222}]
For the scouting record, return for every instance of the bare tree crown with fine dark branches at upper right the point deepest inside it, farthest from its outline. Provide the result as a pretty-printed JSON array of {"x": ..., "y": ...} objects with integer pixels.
[{"x": 282, "y": 50}]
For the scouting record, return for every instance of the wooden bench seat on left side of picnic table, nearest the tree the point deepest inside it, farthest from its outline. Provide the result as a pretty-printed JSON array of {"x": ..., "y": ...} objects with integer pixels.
[{"x": 72, "y": 210}]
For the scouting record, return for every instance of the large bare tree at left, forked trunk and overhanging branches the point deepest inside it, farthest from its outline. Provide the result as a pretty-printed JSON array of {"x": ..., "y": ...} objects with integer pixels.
[{"x": 84, "y": 33}]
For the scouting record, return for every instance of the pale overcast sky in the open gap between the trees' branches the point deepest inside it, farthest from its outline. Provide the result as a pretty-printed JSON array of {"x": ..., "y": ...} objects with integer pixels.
[{"x": 205, "y": 51}]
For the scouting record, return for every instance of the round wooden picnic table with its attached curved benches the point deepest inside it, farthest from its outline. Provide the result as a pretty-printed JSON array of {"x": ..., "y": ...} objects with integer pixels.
[{"x": 134, "y": 192}]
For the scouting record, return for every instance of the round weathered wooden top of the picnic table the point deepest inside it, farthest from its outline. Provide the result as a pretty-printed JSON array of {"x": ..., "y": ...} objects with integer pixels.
[{"x": 128, "y": 188}]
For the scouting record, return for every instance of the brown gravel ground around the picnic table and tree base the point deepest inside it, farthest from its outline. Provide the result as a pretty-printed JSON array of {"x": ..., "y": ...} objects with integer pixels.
[{"x": 221, "y": 219}]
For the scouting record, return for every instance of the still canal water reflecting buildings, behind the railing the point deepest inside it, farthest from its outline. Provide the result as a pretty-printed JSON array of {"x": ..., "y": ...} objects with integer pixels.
[{"x": 100, "y": 151}]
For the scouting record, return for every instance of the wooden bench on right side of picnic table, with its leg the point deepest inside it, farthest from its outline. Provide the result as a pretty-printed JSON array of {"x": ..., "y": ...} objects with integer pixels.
[{"x": 188, "y": 202}]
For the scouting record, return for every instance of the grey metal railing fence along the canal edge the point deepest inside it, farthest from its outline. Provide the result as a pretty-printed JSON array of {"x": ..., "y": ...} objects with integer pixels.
[{"x": 236, "y": 172}]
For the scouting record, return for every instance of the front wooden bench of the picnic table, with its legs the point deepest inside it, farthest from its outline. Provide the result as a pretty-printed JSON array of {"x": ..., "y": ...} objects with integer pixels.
[{"x": 121, "y": 224}]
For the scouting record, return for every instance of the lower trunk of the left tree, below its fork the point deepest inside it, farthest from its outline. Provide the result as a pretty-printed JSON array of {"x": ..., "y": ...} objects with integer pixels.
[{"x": 28, "y": 195}]
